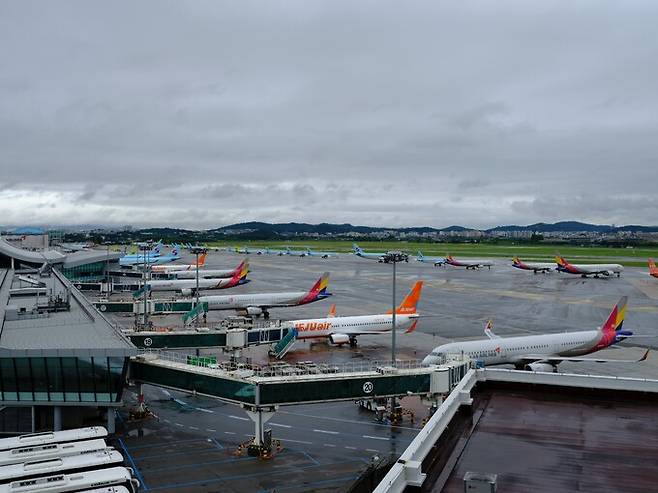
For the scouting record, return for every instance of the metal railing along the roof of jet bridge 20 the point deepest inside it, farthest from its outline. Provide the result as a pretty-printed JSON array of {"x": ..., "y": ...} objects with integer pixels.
[{"x": 283, "y": 369}]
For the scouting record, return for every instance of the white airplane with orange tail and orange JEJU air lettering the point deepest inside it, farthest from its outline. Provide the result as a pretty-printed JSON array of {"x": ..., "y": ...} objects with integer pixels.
[{"x": 342, "y": 330}]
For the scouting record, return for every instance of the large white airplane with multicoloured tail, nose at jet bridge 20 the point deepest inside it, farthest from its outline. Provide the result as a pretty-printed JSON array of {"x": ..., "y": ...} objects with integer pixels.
[{"x": 541, "y": 352}]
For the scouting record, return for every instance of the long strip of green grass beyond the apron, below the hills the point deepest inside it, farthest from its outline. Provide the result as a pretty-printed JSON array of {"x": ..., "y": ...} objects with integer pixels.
[{"x": 632, "y": 257}]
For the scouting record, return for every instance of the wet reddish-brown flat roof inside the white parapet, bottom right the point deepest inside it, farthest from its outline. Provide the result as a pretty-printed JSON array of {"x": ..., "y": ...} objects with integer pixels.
[{"x": 543, "y": 442}]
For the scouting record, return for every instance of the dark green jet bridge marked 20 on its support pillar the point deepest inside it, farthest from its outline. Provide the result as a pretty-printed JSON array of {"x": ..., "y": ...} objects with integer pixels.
[{"x": 261, "y": 390}]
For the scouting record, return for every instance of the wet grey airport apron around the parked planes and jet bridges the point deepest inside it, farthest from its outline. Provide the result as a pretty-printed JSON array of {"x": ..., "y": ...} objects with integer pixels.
[{"x": 326, "y": 446}]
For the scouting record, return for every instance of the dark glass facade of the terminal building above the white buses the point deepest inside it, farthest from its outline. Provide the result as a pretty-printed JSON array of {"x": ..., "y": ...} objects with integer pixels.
[{"x": 90, "y": 379}]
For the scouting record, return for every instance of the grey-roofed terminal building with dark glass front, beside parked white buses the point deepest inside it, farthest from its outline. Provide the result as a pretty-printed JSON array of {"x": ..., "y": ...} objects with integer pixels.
[{"x": 60, "y": 359}]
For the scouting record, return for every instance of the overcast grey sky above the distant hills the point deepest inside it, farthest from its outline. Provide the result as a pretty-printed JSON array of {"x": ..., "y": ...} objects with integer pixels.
[{"x": 205, "y": 113}]
